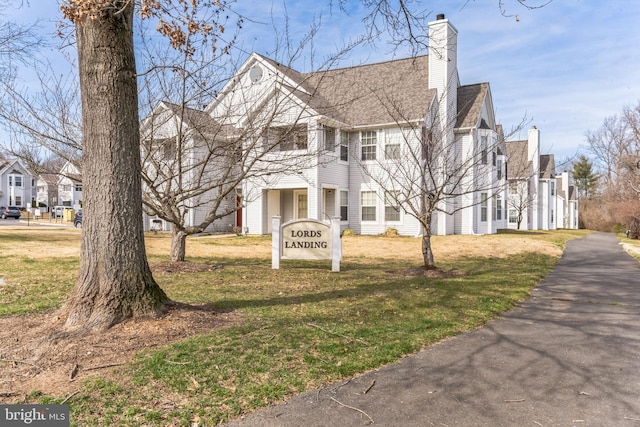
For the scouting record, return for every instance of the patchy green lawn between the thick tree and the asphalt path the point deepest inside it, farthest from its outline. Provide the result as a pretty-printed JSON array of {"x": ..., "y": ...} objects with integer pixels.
[{"x": 301, "y": 326}]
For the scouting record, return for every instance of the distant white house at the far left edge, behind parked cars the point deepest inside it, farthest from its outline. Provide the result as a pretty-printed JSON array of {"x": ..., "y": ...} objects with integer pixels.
[{"x": 16, "y": 183}]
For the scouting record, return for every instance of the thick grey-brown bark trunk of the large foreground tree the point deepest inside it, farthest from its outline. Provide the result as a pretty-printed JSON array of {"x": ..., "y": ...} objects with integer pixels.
[{"x": 115, "y": 281}]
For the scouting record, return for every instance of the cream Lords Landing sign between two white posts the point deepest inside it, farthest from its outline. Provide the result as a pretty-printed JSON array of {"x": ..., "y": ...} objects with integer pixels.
[{"x": 306, "y": 239}]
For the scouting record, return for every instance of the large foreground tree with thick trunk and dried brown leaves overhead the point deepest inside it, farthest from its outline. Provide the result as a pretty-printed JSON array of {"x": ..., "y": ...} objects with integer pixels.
[{"x": 115, "y": 281}]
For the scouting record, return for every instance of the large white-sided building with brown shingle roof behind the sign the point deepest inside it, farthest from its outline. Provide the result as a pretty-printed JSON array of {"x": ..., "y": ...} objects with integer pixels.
[{"x": 347, "y": 119}]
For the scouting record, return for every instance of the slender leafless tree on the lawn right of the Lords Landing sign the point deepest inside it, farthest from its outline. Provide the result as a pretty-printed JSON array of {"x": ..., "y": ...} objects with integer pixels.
[{"x": 426, "y": 172}]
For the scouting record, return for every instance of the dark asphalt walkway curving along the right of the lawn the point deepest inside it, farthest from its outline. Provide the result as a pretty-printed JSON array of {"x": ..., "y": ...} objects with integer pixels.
[{"x": 568, "y": 356}]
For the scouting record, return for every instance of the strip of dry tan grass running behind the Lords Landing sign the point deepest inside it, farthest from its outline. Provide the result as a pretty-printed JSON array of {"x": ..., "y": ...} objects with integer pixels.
[{"x": 66, "y": 243}]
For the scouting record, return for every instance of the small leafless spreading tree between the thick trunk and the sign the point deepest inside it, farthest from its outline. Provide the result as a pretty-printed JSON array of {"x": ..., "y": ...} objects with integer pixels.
[{"x": 195, "y": 159}]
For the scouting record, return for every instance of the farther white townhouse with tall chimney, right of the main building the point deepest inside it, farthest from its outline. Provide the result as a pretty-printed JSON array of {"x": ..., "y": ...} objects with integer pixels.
[{"x": 532, "y": 185}]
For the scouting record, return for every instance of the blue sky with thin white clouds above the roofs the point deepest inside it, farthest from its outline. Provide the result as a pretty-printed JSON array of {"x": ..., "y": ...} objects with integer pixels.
[{"x": 566, "y": 66}]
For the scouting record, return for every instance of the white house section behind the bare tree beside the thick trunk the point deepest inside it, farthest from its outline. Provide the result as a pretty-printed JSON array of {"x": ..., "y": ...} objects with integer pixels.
[{"x": 179, "y": 141}]
